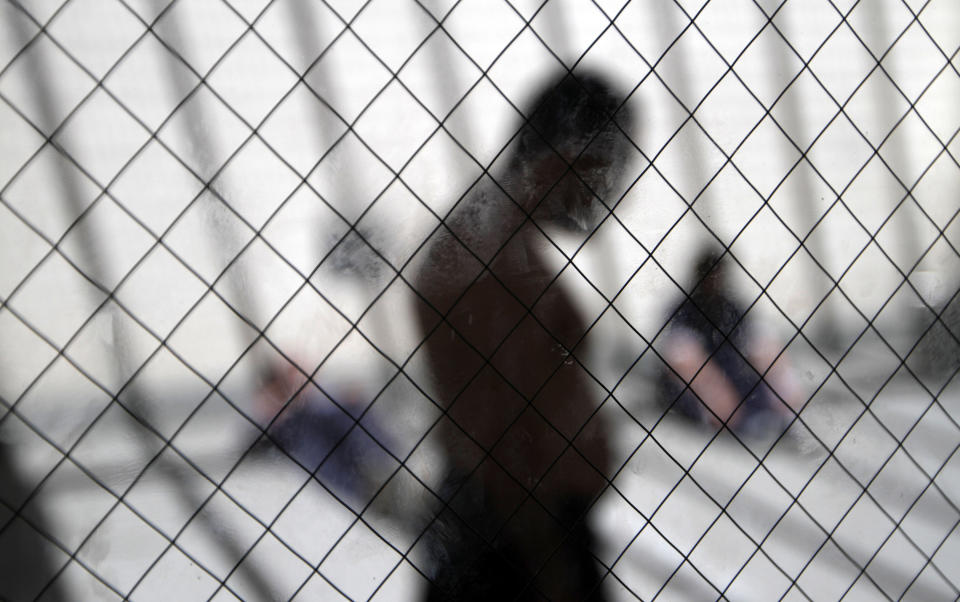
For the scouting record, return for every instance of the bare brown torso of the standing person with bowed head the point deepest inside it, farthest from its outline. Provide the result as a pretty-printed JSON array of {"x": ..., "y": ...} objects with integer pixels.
[{"x": 519, "y": 406}]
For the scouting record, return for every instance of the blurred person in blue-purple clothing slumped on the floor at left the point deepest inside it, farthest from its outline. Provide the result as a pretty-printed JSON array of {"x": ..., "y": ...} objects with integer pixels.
[{"x": 322, "y": 435}]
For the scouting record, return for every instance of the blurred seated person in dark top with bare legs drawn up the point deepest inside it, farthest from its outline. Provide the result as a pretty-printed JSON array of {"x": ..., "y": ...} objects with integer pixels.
[{"x": 715, "y": 360}]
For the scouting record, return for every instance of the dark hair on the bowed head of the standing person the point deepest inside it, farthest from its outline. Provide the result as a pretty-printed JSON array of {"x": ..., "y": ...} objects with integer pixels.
[{"x": 568, "y": 113}]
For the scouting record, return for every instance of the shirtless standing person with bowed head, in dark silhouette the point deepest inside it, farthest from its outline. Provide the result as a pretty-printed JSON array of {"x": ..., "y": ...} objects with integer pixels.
[{"x": 526, "y": 455}]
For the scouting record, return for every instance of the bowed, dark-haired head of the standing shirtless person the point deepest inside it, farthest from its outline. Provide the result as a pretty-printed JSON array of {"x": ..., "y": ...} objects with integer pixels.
[{"x": 572, "y": 150}]
